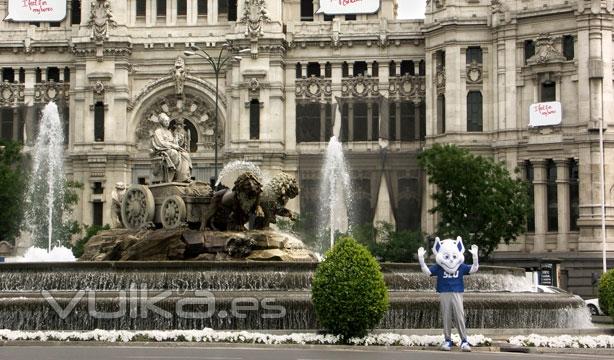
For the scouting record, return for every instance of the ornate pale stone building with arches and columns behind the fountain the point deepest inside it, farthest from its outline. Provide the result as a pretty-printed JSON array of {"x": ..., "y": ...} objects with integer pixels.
[{"x": 466, "y": 74}]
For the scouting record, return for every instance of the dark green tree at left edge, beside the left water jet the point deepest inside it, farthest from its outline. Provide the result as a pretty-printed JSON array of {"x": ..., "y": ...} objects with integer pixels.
[{"x": 12, "y": 185}]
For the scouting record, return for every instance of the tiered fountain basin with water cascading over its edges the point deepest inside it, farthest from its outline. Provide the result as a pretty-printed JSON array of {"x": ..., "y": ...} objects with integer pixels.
[{"x": 249, "y": 296}]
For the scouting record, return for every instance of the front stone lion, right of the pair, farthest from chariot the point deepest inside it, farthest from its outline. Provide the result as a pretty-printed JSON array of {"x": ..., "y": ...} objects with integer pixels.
[{"x": 275, "y": 196}]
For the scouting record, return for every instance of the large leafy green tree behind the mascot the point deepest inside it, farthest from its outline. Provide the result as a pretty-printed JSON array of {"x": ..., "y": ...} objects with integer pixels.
[{"x": 475, "y": 197}]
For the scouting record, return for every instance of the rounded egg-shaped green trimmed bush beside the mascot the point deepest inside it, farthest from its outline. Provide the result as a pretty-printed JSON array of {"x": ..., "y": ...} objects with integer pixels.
[{"x": 348, "y": 290}]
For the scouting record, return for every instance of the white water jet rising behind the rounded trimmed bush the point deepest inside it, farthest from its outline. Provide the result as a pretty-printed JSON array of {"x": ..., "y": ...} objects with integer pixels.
[{"x": 335, "y": 190}]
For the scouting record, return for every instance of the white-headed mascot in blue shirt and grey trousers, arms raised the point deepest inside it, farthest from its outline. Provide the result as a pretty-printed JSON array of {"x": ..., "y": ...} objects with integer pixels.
[{"x": 450, "y": 269}]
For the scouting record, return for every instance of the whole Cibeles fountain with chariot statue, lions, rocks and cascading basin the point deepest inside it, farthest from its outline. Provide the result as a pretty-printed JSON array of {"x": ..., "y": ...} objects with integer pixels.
[{"x": 186, "y": 256}]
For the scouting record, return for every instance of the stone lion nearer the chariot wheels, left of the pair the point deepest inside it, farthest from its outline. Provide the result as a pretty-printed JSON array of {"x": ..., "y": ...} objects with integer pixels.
[{"x": 231, "y": 209}]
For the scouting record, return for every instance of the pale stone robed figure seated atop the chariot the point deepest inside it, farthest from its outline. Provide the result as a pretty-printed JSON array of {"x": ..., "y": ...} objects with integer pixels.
[{"x": 176, "y": 158}]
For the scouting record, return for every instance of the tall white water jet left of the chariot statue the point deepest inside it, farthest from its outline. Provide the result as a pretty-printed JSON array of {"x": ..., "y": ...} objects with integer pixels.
[{"x": 46, "y": 183}]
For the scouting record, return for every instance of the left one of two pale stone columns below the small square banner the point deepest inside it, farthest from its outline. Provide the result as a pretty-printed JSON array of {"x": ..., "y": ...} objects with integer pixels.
[{"x": 540, "y": 186}]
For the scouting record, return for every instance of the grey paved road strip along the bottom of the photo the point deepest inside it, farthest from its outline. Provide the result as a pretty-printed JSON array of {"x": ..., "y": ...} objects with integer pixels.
[{"x": 181, "y": 352}]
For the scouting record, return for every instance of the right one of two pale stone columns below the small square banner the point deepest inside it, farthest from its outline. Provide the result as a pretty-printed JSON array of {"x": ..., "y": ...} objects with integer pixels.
[{"x": 562, "y": 191}]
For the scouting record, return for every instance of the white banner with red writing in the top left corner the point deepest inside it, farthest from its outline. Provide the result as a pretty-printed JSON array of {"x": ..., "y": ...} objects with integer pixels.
[{"x": 36, "y": 10}]
